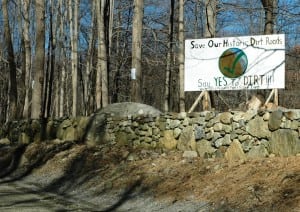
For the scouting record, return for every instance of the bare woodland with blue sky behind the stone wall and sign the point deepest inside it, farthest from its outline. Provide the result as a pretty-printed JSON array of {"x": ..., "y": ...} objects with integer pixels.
[{"x": 72, "y": 57}]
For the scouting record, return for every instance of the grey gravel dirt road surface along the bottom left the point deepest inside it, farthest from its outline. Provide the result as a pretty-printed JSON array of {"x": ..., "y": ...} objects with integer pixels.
[{"x": 21, "y": 197}]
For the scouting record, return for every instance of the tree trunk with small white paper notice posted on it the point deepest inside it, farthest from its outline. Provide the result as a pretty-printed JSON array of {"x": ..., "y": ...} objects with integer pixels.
[{"x": 137, "y": 29}]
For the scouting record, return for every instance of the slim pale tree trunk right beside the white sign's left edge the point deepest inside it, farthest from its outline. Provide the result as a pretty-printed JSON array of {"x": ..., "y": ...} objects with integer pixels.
[{"x": 181, "y": 56}]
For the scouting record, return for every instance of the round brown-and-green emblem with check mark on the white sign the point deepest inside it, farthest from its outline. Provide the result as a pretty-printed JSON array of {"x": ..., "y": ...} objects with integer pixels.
[{"x": 233, "y": 63}]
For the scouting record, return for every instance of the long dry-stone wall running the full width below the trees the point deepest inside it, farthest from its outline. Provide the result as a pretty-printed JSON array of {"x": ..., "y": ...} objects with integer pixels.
[{"x": 234, "y": 135}]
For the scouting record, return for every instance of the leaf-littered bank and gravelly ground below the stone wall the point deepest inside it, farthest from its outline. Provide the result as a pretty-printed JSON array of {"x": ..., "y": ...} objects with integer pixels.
[{"x": 135, "y": 180}]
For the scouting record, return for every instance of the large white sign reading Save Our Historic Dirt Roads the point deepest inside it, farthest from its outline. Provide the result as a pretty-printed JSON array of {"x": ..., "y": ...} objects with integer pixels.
[{"x": 235, "y": 63}]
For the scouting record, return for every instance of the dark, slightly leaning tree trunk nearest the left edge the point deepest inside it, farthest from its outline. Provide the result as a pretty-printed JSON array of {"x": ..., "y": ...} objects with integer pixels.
[{"x": 13, "y": 92}]
